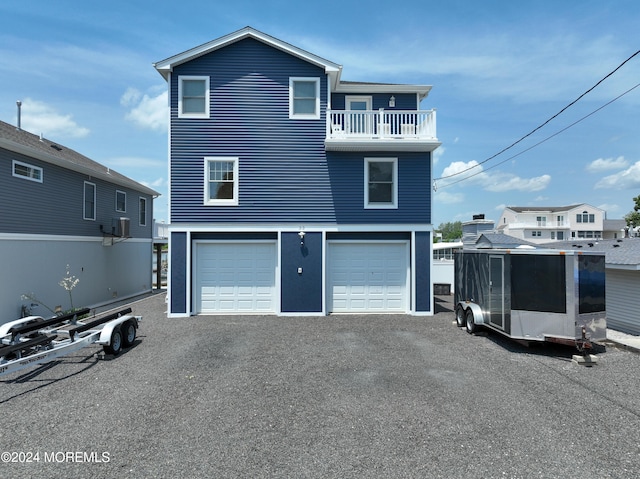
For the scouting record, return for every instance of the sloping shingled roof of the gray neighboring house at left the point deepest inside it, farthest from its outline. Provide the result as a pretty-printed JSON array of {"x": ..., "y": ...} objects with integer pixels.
[{"x": 28, "y": 144}]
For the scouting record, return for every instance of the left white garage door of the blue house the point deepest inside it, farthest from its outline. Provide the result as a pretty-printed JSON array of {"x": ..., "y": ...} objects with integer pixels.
[{"x": 235, "y": 277}]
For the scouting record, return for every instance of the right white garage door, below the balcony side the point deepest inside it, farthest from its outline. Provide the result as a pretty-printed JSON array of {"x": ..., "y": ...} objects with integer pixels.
[{"x": 367, "y": 277}]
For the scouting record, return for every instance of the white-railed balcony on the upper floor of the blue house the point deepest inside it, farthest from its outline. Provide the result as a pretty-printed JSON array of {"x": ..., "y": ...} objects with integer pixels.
[{"x": 381, "y": 130}]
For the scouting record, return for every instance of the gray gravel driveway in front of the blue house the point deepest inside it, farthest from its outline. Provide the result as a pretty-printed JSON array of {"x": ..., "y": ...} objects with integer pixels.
[{"x": 336, "y": 397}]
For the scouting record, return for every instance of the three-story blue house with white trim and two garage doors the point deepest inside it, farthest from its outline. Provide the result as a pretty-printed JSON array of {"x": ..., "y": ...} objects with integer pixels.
[{"x": 292, "y": 191}]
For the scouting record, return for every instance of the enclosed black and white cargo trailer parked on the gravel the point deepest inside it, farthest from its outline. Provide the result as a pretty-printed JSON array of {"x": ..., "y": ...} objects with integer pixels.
[{"x": 533, "y": 294}]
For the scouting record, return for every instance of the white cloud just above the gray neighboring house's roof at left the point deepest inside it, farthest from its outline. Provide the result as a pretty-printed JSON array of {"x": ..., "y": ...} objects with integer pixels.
[{"x": 40, "y": 118}]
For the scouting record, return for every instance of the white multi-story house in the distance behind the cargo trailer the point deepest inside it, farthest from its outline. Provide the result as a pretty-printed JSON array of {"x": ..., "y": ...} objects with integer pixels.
[{"x": 542, "y": 224}]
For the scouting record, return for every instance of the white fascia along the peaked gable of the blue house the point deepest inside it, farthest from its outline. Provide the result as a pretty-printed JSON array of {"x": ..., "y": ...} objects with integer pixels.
[{"x": 164, "y": 67}]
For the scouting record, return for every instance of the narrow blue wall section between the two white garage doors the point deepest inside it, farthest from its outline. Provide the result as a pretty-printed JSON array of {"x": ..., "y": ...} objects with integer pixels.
[{"x": 301, "y": 292}]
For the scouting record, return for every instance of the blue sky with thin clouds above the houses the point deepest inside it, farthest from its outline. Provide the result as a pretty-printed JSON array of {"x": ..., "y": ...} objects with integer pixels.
[{"x": 499, "y": 69}]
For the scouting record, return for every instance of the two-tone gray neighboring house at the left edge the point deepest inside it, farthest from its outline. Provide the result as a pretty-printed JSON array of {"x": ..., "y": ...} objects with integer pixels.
[{"x": 61, "y": 208}]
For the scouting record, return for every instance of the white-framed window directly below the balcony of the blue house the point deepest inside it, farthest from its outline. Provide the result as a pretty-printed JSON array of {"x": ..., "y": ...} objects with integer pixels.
[{"x": 380, "y": 183}]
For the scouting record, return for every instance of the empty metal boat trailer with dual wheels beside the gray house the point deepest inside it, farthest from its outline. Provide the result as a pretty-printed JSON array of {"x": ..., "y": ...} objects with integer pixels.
[{"x": 34, "y": 340}]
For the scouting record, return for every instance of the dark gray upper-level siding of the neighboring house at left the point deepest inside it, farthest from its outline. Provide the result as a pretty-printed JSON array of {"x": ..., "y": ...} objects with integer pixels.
[{"x": 55, "y": 206}]
